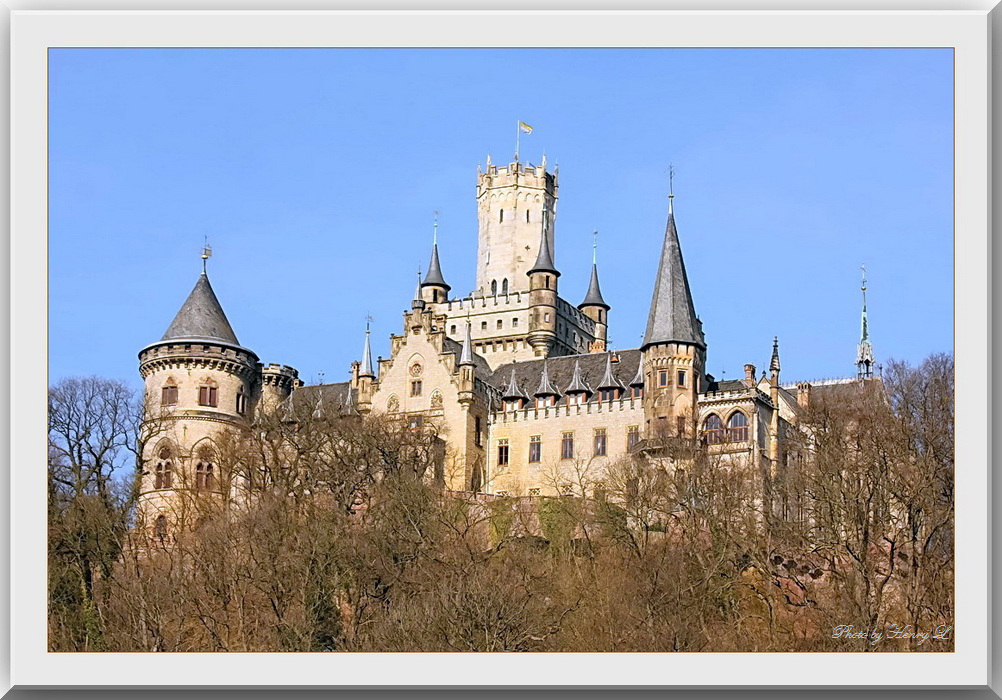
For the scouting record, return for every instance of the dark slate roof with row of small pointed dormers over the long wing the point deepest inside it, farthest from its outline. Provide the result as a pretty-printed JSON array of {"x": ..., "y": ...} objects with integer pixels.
[{"x": 561, "y": 370}]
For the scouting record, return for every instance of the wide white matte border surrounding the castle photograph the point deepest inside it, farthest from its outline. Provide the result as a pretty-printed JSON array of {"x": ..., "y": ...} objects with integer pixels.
[{"x": 34, "y": 33}]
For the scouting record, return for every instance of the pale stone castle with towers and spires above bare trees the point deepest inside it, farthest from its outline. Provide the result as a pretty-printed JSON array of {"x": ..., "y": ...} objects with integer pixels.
[{"x": 518, "y": 380}]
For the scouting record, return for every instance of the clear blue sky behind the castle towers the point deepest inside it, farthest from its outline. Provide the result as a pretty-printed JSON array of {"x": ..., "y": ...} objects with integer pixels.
[{"x": 315, "y": 174}]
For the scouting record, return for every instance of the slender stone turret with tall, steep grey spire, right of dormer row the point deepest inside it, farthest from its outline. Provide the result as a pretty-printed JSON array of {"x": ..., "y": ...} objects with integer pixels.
[{"x": 674, "y": 347}]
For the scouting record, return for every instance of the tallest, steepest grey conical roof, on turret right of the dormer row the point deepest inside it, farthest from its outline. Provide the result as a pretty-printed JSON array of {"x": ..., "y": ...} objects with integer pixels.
[{"x": 673, "y": 317}]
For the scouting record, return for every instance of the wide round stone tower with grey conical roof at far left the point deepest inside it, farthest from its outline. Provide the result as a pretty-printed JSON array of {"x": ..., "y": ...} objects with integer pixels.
[{"x": 199, "y": 387}]
